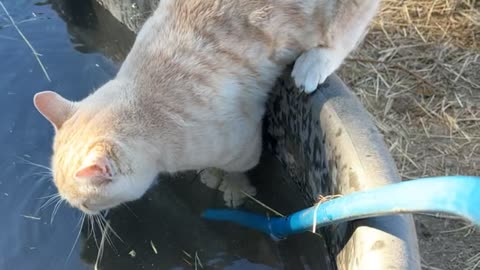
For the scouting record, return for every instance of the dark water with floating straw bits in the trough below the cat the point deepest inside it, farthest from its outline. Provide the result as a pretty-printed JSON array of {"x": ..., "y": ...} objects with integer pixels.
[{"x": 82, "y": 46}]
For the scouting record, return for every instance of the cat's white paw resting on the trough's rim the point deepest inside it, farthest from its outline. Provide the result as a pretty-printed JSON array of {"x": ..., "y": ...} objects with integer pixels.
[{"x": 313, "y": 67}]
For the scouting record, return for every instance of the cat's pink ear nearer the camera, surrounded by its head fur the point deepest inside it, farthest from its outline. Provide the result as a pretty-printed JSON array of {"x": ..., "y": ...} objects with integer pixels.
[{"x": 96, "y": 168}]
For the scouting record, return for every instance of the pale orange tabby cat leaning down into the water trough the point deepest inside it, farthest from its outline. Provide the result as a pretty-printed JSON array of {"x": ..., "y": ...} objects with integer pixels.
[{"x": 191, "y": 95}]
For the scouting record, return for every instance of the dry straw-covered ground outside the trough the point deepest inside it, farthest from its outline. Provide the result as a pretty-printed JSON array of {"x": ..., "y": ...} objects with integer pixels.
[{"x": 418, "y": 74}]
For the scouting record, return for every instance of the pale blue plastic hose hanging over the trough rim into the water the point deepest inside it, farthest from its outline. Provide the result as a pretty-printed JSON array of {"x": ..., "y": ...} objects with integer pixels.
[{"x": 457, "y": 195}]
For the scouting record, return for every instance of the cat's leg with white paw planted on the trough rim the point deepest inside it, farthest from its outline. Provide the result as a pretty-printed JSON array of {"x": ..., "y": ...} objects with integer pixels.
[{"x": 343, "y": 27}]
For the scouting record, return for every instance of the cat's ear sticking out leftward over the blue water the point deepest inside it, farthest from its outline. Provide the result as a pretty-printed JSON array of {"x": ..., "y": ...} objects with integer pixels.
[{"x": 54, "y": 107}]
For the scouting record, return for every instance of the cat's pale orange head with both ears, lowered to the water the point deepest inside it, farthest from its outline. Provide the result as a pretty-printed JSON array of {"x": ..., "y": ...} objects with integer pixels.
[{"x": 95, "y": 165}]
